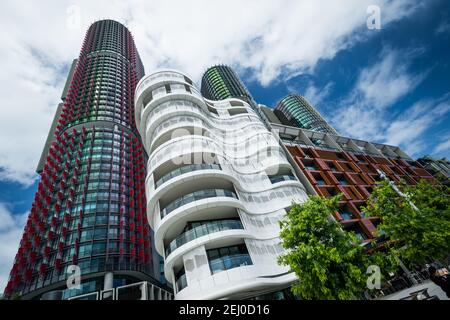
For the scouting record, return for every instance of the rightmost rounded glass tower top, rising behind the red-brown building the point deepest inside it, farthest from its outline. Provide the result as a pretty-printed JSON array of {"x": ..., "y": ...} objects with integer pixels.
[{"x": 294, "y": 110}]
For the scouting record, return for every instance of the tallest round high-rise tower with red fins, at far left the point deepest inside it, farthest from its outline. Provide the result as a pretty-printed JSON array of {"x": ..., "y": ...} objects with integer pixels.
[{"x": 90, "y": 207}]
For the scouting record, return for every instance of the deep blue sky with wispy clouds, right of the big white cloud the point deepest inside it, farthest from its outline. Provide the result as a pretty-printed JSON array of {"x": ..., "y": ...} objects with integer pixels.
[{"x": 419, "y": 48}]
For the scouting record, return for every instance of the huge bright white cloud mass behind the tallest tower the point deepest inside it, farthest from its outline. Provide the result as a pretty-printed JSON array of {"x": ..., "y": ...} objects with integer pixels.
[{"x": 273, "y": 40}]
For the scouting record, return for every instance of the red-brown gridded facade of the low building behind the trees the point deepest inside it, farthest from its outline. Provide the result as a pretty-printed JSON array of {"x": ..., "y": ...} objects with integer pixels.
[{"x": 353, "y": 175}]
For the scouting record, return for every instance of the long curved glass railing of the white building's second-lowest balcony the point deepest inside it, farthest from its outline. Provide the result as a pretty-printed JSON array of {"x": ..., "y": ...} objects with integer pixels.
[{"x": 202, "y": 230}]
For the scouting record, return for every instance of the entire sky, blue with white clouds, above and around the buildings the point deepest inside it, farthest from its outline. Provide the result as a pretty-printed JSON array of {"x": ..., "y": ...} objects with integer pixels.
[{"x": 388, "y": 85}]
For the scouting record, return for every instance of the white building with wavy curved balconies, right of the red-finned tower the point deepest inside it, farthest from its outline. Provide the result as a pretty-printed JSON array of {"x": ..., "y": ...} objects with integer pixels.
[{"x": 217, "y": 185}]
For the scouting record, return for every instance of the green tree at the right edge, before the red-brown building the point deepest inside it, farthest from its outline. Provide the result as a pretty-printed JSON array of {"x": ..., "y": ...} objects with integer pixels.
[{"x": 415, "y": 218}]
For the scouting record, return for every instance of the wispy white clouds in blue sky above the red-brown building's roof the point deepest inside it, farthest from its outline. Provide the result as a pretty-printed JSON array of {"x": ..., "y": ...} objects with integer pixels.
[{"x": 367, "y": 113}]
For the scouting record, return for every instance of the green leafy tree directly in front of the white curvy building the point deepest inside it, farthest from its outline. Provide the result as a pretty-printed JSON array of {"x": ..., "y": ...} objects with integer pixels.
[{"x": 329, "y": 262}]
